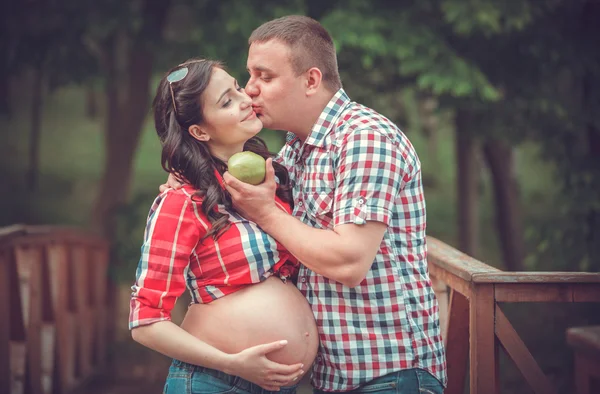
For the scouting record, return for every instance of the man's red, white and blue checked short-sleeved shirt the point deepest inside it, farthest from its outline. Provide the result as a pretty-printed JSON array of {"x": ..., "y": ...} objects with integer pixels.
[{"x": 357, "y": 166}]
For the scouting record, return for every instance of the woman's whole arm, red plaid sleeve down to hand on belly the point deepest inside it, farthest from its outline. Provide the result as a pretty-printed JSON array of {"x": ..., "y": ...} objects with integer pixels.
[{"x": 171, "y": 235}]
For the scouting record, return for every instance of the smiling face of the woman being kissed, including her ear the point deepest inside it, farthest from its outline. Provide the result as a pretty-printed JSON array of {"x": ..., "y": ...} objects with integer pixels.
[{"x": 229, "y": 120}]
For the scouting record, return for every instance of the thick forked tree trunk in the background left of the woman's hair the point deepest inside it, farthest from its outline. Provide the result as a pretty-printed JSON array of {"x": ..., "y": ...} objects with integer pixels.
[{"x": 125, "y": 117}]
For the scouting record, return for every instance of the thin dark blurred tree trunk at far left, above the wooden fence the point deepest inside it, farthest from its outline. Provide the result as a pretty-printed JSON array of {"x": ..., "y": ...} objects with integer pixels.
[{"x": 35, "y": 131}]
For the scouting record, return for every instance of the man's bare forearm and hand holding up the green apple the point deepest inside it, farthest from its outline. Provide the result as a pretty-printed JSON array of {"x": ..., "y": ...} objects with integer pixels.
[{"x": 344, "y": 254}]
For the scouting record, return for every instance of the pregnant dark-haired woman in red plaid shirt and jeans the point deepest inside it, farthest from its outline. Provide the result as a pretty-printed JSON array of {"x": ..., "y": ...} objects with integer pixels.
[{"x": 248, "y": 327}]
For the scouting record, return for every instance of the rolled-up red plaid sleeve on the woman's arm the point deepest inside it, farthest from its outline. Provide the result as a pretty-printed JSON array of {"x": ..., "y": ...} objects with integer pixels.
[{"x": 171, "y": 236}]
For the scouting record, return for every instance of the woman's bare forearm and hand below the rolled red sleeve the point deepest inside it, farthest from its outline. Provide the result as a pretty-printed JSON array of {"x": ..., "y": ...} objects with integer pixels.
[{"x": 251, "y": 364}]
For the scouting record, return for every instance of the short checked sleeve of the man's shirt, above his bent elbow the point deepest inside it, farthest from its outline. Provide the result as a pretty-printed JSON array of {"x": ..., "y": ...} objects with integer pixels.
[{"x": 370, "y": 171}]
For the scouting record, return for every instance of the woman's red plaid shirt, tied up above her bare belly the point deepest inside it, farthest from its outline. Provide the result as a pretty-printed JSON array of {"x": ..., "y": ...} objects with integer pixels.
[{"x": 173, "y": 257}]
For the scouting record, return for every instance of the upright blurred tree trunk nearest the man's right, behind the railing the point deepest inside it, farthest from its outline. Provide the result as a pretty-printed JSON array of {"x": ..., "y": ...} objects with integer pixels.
[{"x": 468, "y": 185}]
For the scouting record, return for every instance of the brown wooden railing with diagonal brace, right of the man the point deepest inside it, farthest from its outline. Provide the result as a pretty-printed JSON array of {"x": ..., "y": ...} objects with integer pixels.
[{"x": 474, "y": 325}]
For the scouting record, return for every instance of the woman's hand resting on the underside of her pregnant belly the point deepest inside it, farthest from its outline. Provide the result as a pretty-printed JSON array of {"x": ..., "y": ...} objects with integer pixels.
[{"x": 253, "y": 365}]
